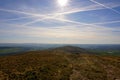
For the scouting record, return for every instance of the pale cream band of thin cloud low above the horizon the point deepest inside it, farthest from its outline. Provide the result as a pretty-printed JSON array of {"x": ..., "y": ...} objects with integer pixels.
[{"x": 76, "y": 34}]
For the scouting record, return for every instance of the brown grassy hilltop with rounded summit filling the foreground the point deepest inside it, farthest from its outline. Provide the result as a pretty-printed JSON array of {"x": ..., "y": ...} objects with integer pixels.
[{"x": 63, "y": 63}]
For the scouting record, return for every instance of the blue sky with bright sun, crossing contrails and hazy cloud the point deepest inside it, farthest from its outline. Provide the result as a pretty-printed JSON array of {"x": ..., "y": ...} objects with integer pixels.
[{"x": 60, "y": 21}]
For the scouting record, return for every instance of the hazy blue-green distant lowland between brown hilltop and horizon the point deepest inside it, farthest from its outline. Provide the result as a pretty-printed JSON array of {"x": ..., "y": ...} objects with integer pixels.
[{"x": 102, "y": 49}]
